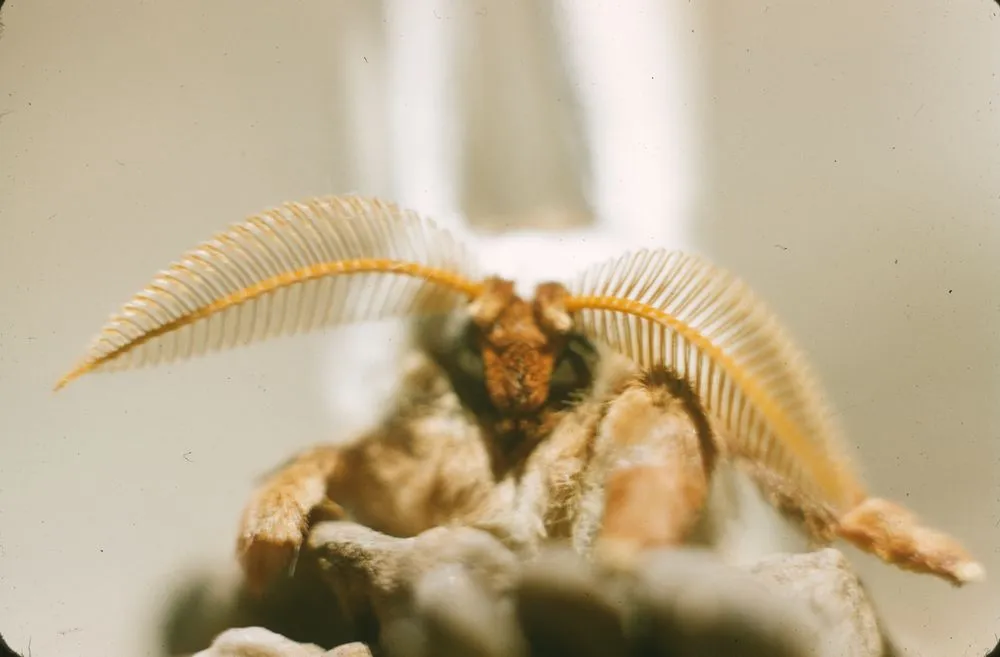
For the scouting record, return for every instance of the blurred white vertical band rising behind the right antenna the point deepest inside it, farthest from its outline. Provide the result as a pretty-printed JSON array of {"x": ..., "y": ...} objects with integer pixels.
[{"x": 636, "y": 65}]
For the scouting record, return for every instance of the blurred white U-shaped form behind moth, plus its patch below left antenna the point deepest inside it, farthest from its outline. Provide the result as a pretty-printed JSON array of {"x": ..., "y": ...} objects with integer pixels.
[{"x": 633, "y": 77}]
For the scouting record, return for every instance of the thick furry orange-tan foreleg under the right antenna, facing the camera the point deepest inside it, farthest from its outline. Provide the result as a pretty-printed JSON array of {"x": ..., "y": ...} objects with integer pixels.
[{"x": 658, "y": 460}]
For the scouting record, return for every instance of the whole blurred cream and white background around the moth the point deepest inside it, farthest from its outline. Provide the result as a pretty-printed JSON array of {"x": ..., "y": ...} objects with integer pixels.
[{"x": 843, "y": 158}]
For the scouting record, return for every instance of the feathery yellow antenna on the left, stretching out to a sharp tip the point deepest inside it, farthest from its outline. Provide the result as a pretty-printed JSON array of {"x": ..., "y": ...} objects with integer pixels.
[{"x": 285, "y": 271}]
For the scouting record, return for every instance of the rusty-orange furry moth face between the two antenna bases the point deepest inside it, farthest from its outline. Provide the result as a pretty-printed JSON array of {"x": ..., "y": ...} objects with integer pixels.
[{"x": 520, "y": 342}]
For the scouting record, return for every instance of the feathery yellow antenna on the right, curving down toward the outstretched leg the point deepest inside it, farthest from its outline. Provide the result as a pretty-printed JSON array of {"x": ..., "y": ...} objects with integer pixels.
[{"x": 676, "y": 310}]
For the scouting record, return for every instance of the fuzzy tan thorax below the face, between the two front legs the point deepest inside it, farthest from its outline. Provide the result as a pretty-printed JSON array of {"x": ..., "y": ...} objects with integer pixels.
[{"x": 441, "y": 460}]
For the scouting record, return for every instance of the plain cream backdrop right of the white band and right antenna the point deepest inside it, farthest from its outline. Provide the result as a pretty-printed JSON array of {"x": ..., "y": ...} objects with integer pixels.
[{"x": 854, "y": 179}]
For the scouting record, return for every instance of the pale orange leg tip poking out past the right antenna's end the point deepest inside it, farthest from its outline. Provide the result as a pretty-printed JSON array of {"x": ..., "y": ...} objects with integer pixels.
[{"x": 895, "y": 535}]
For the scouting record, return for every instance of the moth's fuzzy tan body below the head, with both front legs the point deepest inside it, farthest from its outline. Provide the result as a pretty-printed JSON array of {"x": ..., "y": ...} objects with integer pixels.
[{"x": 434, "y": 461}]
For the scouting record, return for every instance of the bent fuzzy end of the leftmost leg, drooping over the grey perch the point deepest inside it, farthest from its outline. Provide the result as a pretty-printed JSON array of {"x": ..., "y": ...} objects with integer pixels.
[{"x": 274, "y": 523}]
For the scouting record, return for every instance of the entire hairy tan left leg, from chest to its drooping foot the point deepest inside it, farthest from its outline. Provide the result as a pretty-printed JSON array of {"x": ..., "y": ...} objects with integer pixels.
[{"x": 403, "y": 478}]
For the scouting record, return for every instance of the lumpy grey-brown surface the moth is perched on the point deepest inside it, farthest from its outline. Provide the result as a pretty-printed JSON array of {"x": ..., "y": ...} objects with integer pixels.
[{"x": 453, "y": 592}]
